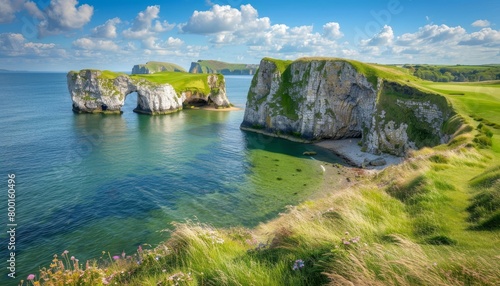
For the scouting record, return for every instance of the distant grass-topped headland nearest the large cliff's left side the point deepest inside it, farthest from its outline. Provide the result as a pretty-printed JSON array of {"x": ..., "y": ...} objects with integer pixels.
[{"x": 211, "y": 66}]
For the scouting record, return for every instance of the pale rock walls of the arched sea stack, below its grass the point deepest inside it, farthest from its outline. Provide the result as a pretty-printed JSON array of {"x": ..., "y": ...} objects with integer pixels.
[{"x": 94, "y": 91}]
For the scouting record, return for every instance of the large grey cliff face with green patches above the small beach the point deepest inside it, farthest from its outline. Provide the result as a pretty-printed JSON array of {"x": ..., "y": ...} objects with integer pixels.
[{"x": 328, "y": 98}]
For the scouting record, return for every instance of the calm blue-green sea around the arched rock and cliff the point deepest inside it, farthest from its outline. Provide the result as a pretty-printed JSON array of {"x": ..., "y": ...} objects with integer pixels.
[{"x": 93, "y": 183}]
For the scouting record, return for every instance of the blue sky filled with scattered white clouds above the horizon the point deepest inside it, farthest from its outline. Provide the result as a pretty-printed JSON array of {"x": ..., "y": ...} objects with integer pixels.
[{"x": 62, "y": 35}]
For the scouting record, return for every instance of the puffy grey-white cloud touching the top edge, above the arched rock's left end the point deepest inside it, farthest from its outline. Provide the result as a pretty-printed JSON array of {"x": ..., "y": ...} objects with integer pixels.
[{"x": 63, "y": 15}]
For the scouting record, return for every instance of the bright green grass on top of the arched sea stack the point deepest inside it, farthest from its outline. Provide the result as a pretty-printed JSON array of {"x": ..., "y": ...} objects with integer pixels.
[{"x": 180, "y": 81}]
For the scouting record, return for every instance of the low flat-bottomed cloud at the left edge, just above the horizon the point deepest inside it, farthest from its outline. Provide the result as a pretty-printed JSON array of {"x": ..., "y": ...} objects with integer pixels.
[{"x": 15, "y": 45}]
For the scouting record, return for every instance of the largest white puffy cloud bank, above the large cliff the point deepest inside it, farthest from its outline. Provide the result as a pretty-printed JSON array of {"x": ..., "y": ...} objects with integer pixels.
[{"x": 226, "y": 25}]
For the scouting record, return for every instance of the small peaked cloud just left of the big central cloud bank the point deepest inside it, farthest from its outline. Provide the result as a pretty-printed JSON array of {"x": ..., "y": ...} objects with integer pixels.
[{"x": 146, "y": 24}]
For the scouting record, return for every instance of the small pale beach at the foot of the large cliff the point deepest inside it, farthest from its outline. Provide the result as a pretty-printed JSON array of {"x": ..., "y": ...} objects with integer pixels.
[{"x": 351, "y": 151}]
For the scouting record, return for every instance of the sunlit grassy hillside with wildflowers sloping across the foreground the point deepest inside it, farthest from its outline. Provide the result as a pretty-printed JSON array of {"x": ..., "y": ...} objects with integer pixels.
[{"x": 433, "y": 220}]
